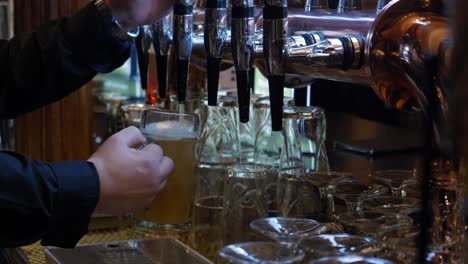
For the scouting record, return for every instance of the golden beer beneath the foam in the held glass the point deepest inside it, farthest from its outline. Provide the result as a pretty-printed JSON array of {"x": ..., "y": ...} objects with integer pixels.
[{"x": 171, "y": 208}]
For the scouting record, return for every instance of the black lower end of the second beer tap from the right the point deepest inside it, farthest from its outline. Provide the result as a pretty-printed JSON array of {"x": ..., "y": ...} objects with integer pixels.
[{"x": 243, "y": 94}]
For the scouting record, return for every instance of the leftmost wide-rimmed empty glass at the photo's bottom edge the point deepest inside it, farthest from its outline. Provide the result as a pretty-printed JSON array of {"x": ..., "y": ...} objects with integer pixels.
[{"x": 261, "y": 252}]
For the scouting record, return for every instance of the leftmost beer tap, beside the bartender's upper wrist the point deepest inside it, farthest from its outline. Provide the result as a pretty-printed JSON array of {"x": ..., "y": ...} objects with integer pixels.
[{"x": 143, "y": 43}]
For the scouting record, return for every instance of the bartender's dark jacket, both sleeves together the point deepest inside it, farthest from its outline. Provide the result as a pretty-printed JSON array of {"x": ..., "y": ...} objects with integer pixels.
[{"x": 51, "y": 202}]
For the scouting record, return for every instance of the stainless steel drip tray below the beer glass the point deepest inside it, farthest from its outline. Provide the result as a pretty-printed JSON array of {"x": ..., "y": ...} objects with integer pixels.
[{"x": 160, "y": 250}]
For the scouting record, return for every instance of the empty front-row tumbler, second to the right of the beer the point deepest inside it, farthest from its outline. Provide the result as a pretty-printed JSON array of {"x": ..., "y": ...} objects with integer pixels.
[{"x": 244, "y": 201}]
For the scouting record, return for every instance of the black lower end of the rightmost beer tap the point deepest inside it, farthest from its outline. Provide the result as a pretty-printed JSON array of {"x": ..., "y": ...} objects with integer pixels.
[{"x": 276, "y": 88}]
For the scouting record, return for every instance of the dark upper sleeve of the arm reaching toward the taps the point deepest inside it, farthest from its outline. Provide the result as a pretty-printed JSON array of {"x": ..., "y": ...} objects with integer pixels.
[{"x": 44, "y": 66}]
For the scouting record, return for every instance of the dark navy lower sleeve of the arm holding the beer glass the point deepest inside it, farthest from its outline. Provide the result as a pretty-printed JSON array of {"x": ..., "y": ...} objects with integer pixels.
[{"x": 48, "y": 201}]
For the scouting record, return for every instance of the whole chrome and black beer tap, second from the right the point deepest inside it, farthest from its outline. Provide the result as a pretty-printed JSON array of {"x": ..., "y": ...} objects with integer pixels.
[{"x": 243, "y": 51}]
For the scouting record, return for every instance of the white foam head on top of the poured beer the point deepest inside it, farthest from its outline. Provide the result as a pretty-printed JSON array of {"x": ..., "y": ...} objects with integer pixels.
[{"x": 170, "y": 130}]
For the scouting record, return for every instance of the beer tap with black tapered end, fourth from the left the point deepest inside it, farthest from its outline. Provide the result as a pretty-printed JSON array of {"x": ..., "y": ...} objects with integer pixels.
[{"x": 215, "y": 34}]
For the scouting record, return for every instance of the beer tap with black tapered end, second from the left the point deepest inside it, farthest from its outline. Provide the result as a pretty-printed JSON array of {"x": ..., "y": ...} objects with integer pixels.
[{"x": 162, "y": 38}]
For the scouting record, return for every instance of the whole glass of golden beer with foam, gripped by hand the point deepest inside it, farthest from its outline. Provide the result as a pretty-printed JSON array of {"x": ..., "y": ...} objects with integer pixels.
[{"x": 177, "y": 134}]
